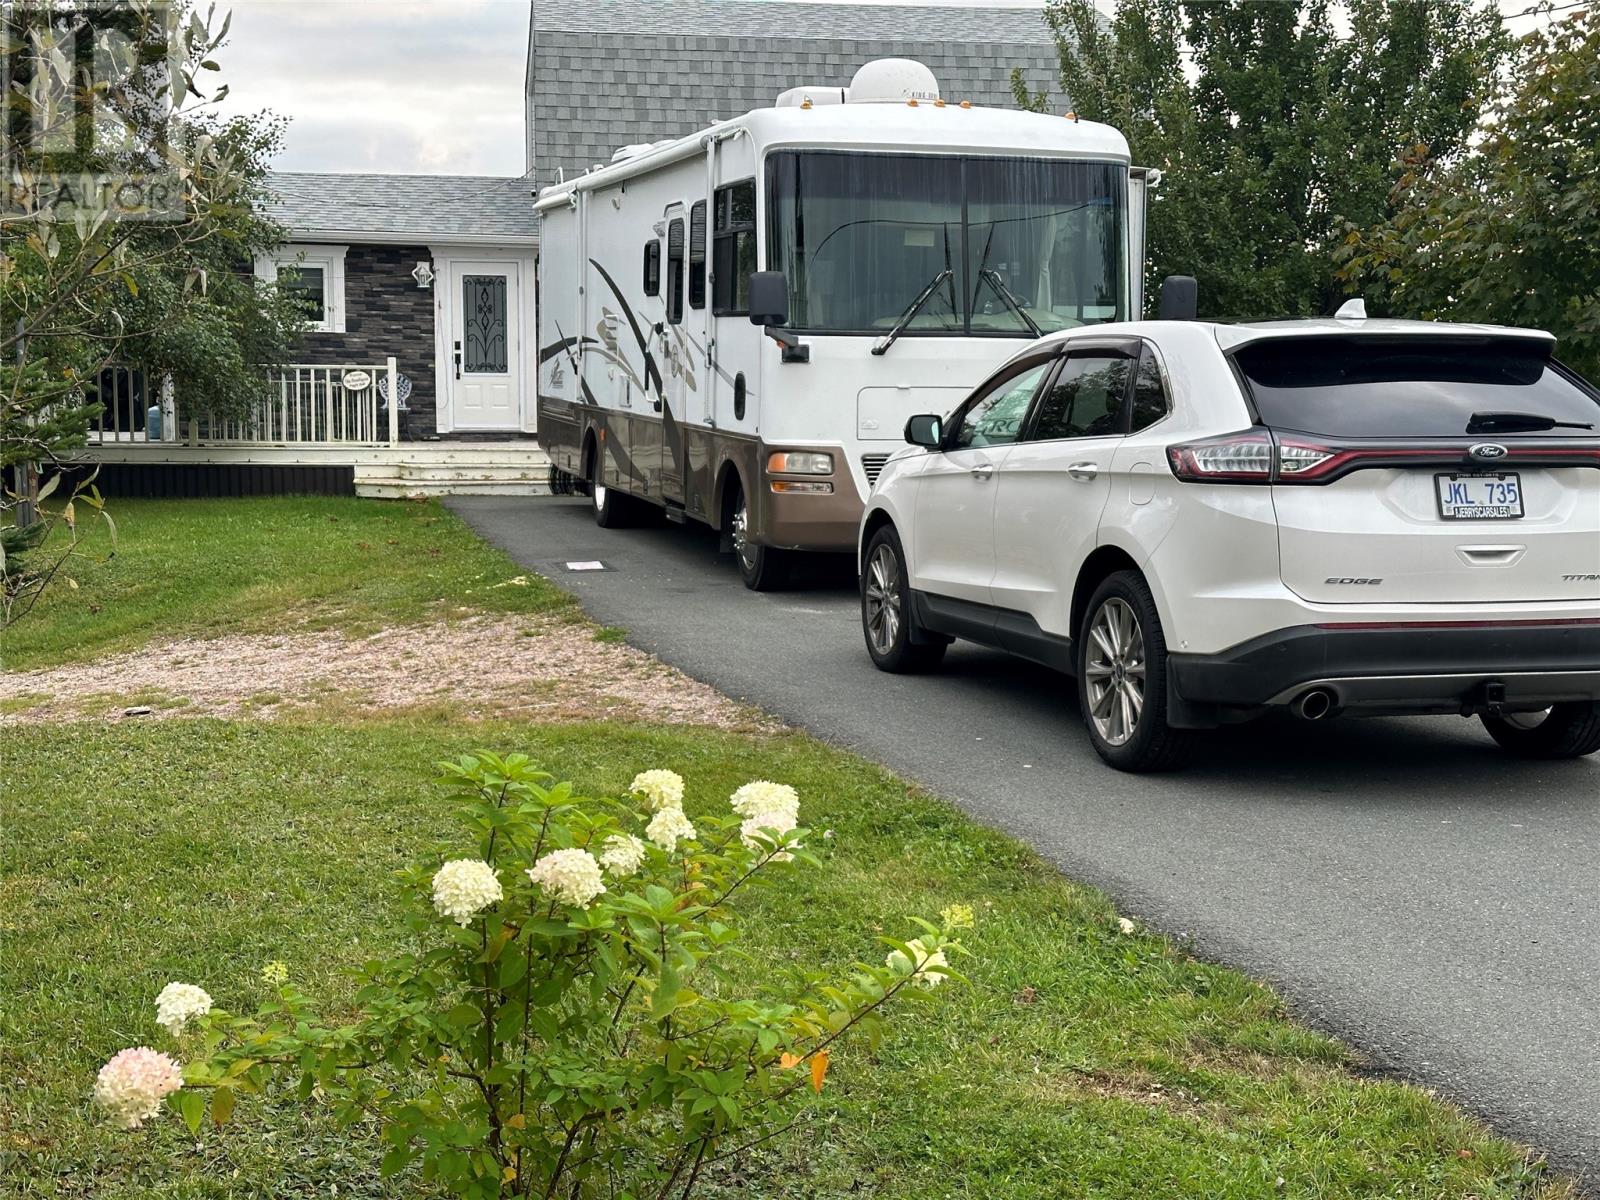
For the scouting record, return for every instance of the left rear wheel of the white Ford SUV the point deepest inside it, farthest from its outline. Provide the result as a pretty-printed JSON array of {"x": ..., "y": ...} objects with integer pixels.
[{"x": 1122, "y": 679}]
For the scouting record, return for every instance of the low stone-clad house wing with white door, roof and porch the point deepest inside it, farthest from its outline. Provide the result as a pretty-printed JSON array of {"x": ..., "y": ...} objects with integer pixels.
[{"x": 420, "y": 290}]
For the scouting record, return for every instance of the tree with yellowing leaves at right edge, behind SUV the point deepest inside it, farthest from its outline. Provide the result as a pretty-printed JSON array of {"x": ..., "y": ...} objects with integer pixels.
[{"x": 1511, "y": 233}]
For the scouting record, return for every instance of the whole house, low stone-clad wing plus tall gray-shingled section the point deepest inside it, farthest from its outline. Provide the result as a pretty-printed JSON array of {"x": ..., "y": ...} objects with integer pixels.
[{"x": 417, "y": 374}]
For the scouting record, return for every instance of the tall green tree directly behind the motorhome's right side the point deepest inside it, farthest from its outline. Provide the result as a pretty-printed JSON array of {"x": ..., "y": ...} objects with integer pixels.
[{"x": 1274, "y": 124}]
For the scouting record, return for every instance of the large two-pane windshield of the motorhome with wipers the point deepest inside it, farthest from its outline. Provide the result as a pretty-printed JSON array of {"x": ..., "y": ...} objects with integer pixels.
[{"x": 1031, "y": 244}]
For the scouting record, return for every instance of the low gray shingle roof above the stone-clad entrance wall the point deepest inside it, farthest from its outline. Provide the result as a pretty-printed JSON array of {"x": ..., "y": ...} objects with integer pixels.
[{"x": 410, "y": 209}]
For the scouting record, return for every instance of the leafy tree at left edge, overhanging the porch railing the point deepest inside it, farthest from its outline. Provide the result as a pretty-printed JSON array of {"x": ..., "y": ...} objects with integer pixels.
[{"x": 127, "y": 233}]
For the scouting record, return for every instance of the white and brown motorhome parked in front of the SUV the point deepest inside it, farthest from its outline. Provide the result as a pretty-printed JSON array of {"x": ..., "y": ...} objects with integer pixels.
[{"x": 737, "y": 326}]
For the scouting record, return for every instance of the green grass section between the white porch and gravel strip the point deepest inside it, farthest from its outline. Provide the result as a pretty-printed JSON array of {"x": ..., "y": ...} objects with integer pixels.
[{"x": 196, "y": 567}]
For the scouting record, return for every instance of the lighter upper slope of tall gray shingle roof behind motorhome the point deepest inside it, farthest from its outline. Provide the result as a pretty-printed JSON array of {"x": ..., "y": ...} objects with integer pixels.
[{"x": 777, "y": 18}]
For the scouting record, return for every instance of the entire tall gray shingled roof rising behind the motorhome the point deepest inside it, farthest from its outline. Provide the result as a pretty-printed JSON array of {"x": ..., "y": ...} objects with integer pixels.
[{"x": 604, "y": 74}]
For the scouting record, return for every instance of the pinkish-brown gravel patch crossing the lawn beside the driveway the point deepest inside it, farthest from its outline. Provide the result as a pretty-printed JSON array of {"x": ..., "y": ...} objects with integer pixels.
[{"x": 490, "y": 666}]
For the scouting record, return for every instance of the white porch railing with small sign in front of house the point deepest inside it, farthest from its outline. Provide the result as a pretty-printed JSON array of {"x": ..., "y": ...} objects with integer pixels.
[{"x": 311, "y": 406}]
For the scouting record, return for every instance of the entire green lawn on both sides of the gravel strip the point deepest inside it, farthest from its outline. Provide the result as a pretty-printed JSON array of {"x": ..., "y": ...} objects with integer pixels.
[{"x": 1078, "y": 1062}]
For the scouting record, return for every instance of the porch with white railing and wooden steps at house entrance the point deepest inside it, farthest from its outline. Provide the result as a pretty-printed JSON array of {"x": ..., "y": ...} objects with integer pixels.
[{"x": 322, "y": 428}]
